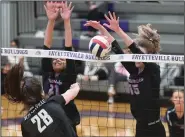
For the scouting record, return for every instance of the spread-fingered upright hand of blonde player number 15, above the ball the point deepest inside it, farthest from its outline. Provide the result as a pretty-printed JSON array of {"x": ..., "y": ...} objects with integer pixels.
[{"x": 113, "y": 22}]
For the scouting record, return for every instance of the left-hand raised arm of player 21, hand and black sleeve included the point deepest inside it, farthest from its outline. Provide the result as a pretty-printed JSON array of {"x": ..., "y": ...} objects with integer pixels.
[{"x": 52, "y": 12}]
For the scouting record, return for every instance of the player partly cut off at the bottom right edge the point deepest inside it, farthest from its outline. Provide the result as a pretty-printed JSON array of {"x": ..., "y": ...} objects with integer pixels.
[{"x": 175, "y": 115}]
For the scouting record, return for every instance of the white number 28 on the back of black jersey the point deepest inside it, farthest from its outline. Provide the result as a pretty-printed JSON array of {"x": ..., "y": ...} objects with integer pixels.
[{"x": 42, "y": 116}]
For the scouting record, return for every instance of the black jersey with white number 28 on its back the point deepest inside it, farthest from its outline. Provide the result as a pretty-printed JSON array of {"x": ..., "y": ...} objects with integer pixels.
[{"x": 47, "y": 119}]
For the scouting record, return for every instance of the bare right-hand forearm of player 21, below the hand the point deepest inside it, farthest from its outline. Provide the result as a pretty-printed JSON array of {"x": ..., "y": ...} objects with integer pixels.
[{"x": 68, "y": 33}]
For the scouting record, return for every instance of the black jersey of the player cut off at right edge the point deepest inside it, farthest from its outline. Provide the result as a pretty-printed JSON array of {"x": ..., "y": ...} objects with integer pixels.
[{"x": 175, "y": 124}]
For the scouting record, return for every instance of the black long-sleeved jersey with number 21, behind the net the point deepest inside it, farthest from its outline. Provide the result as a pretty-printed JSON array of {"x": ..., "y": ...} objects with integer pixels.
[{"x": 61, "y": 83}]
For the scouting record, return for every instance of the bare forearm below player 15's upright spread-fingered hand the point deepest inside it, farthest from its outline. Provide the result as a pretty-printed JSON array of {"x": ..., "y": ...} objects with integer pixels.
[{"x": 127, "y": 39}]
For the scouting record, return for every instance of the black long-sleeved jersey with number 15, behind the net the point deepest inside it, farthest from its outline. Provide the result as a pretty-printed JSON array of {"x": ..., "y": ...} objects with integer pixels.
[{"x": 144, "y": 87}]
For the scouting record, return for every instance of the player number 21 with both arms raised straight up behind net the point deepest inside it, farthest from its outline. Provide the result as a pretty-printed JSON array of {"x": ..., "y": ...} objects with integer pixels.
[{"x": 59, "y": 74}]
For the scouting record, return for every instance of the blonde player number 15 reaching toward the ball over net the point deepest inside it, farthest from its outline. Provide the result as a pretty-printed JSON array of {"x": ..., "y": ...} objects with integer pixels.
[{"x": 144, "y": 80}]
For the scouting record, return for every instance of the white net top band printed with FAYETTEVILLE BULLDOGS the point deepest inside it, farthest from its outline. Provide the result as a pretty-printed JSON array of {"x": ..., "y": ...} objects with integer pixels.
[{"x": 177, "y": 59}]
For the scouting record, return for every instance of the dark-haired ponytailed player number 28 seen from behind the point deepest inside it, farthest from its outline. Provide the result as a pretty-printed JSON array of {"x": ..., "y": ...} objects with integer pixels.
[{"x": 46, "y": 116}]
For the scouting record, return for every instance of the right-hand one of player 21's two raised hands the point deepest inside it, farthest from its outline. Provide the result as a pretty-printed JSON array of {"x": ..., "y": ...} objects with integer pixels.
[{"x": 66, "y": 10}]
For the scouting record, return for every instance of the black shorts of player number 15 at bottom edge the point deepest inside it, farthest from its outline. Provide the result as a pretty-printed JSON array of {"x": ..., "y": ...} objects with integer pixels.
[{"x": 145, "y": 130}]
